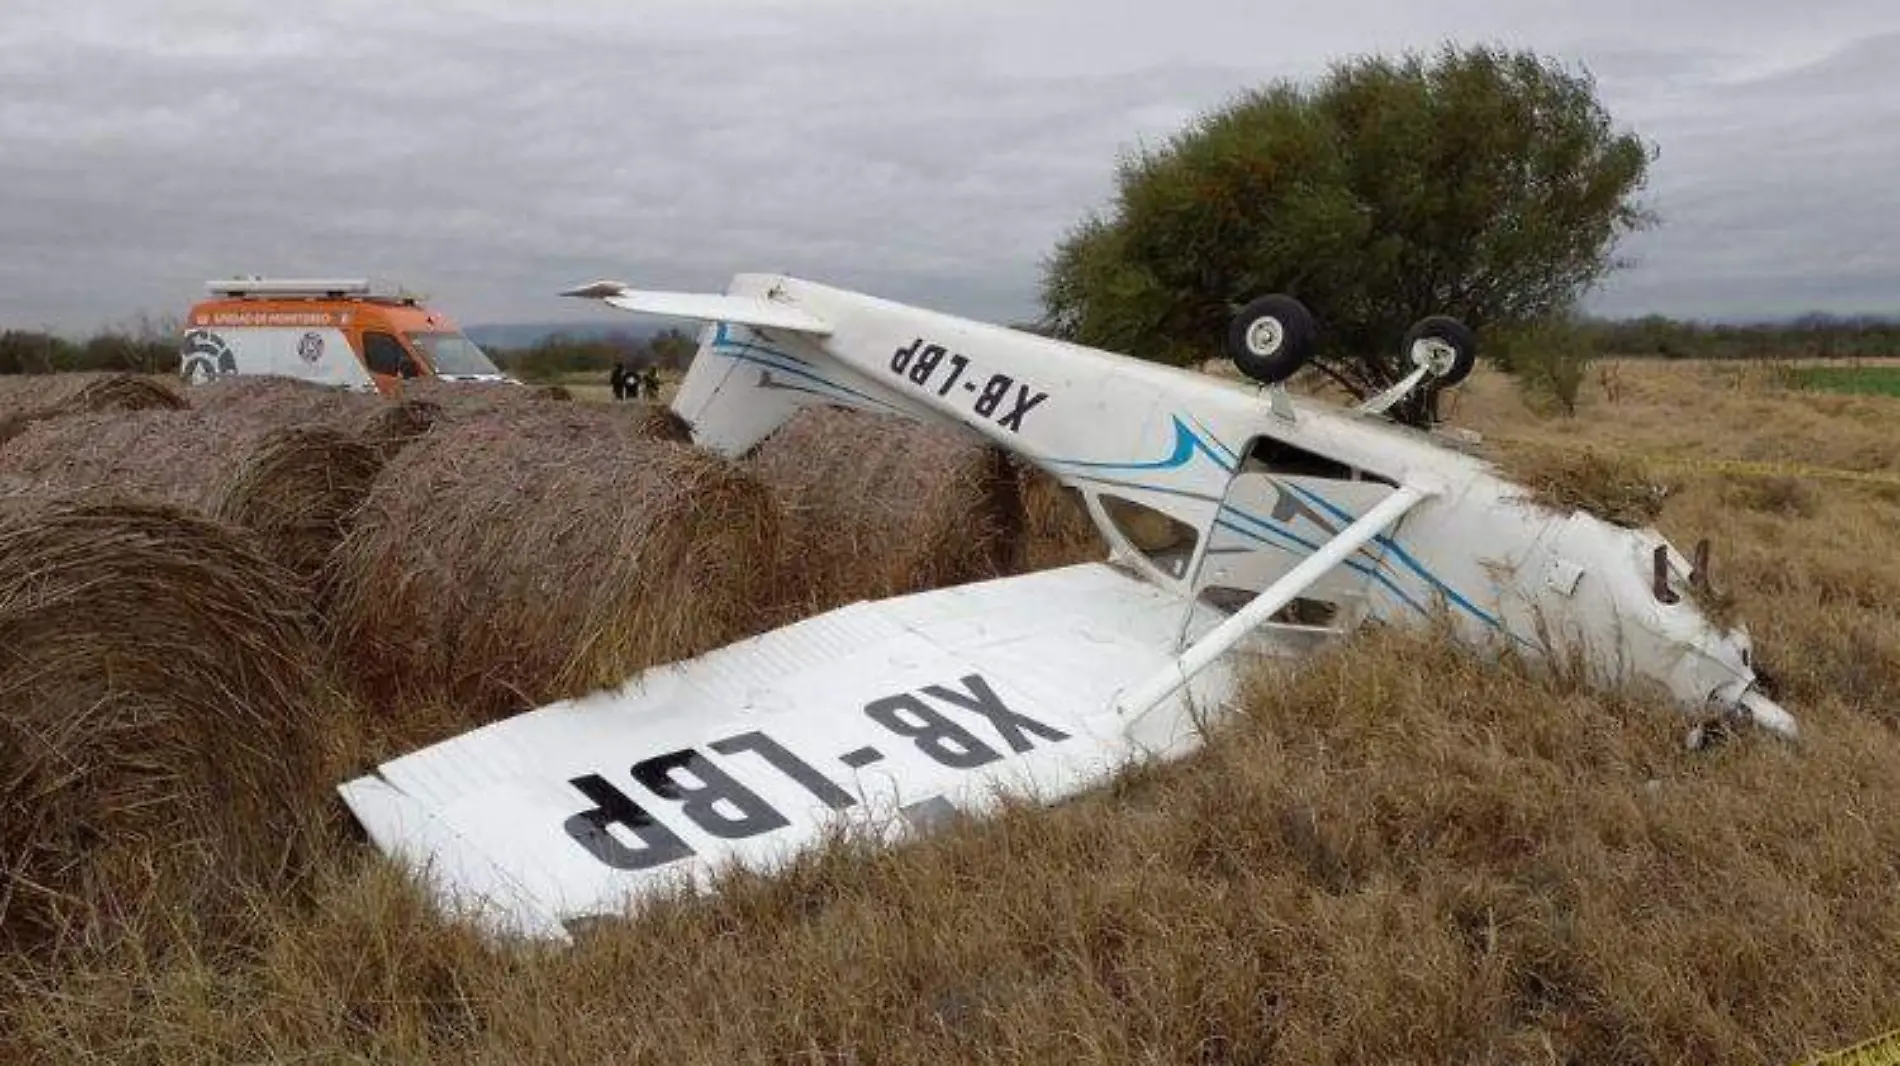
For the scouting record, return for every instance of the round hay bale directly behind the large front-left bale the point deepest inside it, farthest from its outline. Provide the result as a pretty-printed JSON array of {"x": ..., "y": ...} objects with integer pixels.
[{"x": 290, "y": 487}]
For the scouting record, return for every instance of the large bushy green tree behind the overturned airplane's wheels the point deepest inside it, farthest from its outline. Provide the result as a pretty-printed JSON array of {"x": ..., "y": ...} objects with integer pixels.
[{"x": 1481, "y": 183}]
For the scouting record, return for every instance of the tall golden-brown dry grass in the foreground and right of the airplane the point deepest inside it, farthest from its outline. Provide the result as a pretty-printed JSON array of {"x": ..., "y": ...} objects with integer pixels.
[{"x": 1397, "y": 854}]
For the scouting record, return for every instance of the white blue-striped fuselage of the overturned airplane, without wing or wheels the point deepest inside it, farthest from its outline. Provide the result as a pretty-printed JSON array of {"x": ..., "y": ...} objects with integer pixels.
[{"x": 1257, "y": 480}]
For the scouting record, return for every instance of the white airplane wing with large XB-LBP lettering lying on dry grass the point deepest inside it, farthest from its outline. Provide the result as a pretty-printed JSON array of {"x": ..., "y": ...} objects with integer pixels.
[{"x": 883, "y": 715}]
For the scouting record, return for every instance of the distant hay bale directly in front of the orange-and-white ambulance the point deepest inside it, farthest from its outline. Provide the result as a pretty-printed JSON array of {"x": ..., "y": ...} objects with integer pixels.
[{"x": 390, "y": 425}]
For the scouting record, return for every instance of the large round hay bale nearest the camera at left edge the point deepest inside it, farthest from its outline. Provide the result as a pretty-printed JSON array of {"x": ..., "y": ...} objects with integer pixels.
[{"x": 157, "y": 677}]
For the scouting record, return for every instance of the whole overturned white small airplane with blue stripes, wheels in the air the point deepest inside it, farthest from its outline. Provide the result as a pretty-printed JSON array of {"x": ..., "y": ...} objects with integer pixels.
[{"x": 1244, "y": 522}]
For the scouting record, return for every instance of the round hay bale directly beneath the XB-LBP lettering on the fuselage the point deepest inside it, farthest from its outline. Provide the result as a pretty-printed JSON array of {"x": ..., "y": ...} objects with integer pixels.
[{"x": 881, "y": 506}]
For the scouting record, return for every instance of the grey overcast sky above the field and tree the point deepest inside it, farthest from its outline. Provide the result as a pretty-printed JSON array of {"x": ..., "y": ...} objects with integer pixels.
[{"x": 493, "y": 153}]
